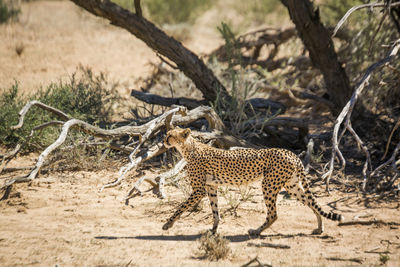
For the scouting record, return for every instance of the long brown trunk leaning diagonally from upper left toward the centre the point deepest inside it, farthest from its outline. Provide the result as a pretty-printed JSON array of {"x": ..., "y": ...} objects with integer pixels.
[{"x": 186, "y": 61}]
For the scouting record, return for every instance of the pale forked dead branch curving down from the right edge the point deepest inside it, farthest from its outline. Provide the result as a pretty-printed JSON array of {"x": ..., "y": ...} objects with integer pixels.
[{"x": 345, "y": 115}]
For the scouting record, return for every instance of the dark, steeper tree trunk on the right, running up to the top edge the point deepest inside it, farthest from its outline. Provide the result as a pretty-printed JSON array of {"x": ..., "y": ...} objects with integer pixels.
[{"x": 318, "y": 42}]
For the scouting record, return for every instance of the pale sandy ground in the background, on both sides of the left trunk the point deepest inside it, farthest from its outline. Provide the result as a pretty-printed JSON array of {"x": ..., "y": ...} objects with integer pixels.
[{"x": 58, "y": 36}]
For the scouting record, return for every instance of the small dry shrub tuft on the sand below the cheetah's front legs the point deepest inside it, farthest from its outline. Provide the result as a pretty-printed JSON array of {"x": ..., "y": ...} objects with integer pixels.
[{"x": 215, "y": 247}]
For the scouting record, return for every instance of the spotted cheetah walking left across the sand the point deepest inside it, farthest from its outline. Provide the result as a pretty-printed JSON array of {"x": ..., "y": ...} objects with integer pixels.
[{"x": 210, "y": 167}]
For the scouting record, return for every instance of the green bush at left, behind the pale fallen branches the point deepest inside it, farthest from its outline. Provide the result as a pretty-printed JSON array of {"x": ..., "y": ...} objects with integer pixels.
[{"x": 85, "y": 96}]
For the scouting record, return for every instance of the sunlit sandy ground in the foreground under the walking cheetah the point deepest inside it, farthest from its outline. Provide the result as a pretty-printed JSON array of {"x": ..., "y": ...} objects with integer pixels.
[{"x": 62, "y": 219}]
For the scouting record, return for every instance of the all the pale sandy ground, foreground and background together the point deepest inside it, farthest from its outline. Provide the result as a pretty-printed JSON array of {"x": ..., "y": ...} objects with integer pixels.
[{"x": 61, "y": 219}]
